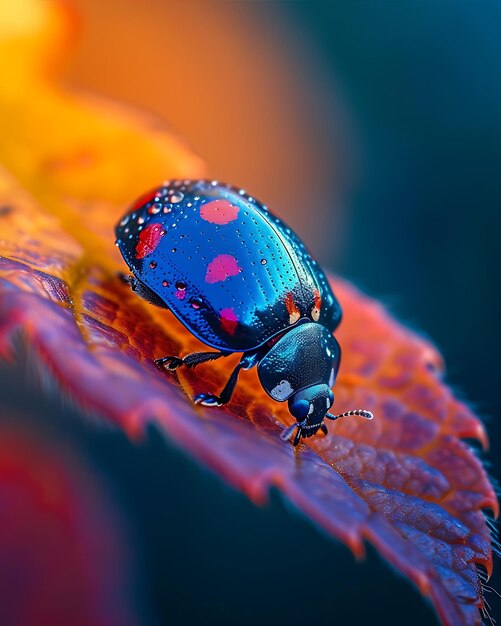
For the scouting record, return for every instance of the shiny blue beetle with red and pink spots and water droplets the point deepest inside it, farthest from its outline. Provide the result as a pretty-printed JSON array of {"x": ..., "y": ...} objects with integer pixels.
[{"x": 240, "y": 280}]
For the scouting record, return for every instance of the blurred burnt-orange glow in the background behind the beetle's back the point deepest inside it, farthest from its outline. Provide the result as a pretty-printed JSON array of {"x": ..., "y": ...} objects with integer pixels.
[{"x": 239, "y": 84}]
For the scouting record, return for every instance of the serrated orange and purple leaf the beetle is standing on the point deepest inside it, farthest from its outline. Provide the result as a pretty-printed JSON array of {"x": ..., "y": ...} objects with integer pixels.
[{"x": 405, "y": 481}]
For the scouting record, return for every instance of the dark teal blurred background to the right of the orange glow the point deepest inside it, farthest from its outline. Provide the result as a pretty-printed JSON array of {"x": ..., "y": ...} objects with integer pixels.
[{"x": 422, "y": 81}]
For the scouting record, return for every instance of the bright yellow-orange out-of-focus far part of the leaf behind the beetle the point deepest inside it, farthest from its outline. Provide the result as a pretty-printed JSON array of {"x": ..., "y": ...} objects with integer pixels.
[{"x": 75, "y": 153}]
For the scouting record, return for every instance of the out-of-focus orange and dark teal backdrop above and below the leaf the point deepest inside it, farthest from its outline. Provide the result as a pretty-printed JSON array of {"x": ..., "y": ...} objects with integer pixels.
[{"x": 373, "y": 128}]
